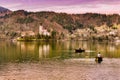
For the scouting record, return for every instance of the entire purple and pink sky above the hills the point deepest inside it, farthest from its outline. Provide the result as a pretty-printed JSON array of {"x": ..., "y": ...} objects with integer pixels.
[{"x": 67, "y": 6}]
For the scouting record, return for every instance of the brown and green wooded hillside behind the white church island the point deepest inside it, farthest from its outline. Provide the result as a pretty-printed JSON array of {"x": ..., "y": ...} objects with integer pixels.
[{"x": 72, "y": 26}]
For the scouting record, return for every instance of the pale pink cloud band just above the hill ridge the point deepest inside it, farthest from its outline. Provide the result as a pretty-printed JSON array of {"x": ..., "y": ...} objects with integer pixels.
[{"x": 101, "y": 8}]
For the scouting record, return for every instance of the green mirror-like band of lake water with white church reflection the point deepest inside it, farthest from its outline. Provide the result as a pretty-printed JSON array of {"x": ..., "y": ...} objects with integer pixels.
[{"x": 35, "y": 51}]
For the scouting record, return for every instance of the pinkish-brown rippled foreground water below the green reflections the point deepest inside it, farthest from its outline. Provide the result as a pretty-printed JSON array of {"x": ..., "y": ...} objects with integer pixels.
[{"x": 71, "y": 69}]
